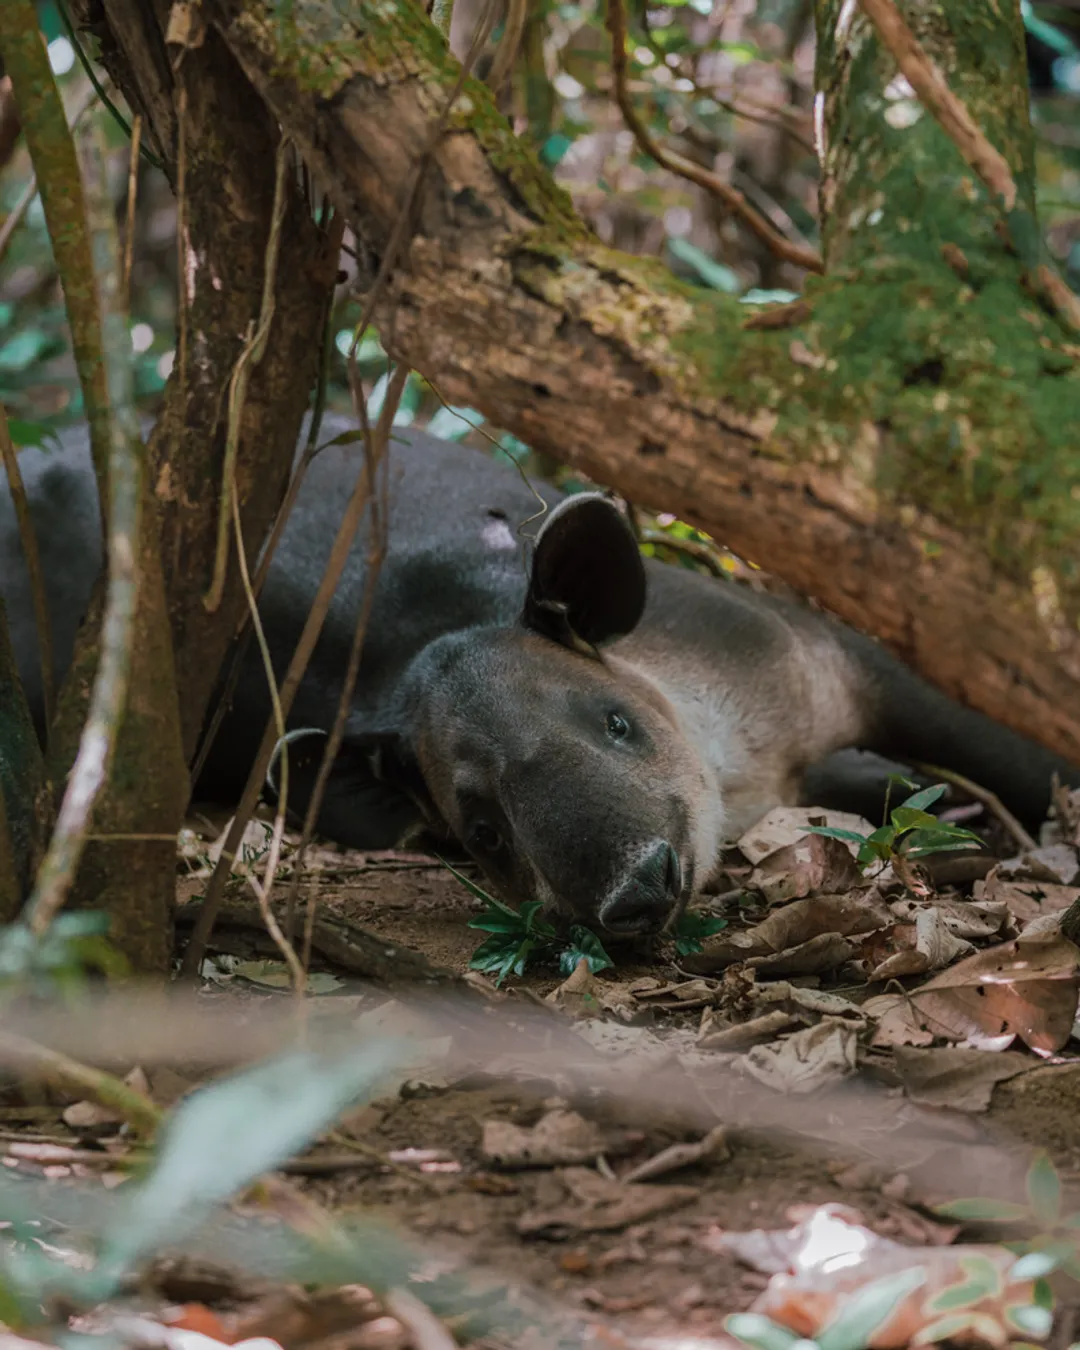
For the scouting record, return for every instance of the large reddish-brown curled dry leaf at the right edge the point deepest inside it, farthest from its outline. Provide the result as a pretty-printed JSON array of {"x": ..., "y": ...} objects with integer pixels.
[{"x": 1025, "y": 989}]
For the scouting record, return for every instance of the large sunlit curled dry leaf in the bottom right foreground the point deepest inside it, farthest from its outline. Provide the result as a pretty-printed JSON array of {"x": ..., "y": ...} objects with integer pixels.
[{"x": 831, "y": 1260}]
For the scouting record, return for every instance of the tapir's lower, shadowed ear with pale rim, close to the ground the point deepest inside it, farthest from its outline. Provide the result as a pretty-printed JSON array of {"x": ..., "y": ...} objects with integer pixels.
[{"x": 375, "y": 794}]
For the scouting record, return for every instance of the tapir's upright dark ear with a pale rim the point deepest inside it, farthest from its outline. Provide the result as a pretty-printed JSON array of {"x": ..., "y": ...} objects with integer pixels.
[{"x": 588, "y": 584}]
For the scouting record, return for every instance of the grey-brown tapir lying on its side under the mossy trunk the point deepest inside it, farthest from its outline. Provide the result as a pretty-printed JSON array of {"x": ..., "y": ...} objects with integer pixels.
[{"x": 591, "y": 727}]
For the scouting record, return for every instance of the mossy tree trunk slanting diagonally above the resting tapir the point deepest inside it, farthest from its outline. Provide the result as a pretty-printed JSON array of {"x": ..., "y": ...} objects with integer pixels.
[{"x": 900, "y": 445}]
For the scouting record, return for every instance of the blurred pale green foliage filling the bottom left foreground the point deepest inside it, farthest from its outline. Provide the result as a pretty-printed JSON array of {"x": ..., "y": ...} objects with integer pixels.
[{"x": 215, "y": 1145}]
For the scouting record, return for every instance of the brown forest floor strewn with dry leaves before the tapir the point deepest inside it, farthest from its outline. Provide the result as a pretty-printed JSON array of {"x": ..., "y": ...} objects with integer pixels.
[{"x": 747, "y": 1114}]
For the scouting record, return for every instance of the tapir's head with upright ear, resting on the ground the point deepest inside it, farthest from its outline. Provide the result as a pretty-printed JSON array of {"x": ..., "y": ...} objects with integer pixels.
[{"x": 557, "y": 763}]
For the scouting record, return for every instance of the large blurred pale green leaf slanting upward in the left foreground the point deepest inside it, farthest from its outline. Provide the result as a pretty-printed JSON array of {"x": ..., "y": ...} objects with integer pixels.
[{"x": 223, "y": 1137}]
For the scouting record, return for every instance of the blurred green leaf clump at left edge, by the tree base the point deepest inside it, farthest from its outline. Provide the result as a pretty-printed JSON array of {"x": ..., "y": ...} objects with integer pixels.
[{"x": 60, "y": 961}]
